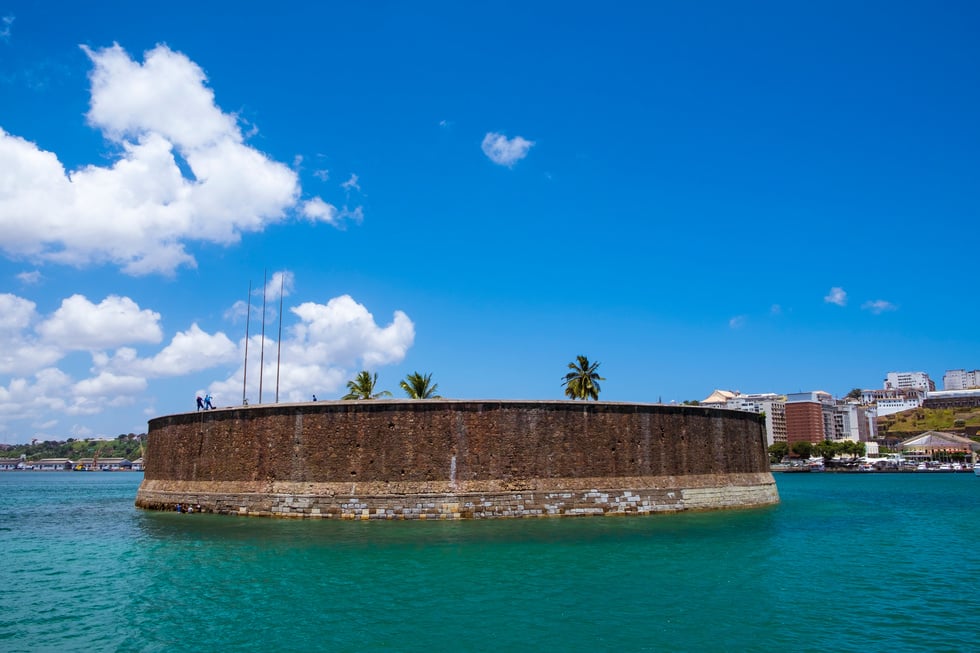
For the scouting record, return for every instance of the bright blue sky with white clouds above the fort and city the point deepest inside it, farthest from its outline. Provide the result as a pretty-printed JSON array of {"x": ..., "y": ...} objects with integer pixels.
[{"x": 764, "y": 197}]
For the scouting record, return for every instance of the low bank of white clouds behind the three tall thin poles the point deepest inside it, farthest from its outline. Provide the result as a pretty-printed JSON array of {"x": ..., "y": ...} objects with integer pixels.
[{"x": 326, "y": 345}]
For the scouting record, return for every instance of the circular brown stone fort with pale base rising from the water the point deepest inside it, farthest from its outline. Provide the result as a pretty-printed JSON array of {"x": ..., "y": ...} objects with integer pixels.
[{"x": 456, "y": 459}]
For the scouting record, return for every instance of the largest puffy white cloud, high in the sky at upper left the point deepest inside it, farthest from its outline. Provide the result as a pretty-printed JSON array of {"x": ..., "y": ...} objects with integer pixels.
[{"x": 141, "y": 211}]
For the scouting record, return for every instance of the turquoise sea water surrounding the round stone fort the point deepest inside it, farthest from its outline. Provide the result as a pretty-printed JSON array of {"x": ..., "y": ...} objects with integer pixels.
[{"x": 851, "y": 562}]
